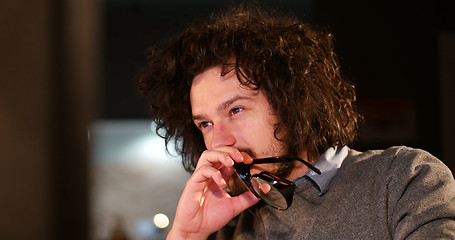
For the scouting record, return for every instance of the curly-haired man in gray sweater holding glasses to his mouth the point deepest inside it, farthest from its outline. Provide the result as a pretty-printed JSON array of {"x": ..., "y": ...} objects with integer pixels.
[{"x": 256, "y": 85}]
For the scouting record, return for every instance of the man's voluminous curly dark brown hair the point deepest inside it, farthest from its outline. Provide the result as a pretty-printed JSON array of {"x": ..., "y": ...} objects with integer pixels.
[{"x": 294, "y": 63}]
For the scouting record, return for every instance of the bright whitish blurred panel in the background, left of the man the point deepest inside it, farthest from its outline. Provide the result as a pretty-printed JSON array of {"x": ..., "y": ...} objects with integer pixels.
[{"x": 133, "y": 180}]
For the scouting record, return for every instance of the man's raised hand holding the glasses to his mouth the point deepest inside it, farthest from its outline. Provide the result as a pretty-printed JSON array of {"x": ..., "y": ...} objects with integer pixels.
[{"x": 205, "y": 206}]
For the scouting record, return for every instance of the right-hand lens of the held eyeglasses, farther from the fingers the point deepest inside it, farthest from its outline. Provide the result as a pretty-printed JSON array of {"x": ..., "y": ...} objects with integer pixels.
[{"x": 269, "y": 193}]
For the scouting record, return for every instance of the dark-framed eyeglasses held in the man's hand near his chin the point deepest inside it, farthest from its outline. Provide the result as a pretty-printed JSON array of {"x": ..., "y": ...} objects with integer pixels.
[{"x": 275, "y": 191}]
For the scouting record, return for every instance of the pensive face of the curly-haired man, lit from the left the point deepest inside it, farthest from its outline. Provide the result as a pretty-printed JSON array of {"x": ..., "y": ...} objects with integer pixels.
[{"x": 230, "y": 114}]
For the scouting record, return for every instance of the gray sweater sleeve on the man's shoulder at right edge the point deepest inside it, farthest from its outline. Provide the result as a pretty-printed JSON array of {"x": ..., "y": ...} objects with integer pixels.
[{"x": 421, "y": 197}]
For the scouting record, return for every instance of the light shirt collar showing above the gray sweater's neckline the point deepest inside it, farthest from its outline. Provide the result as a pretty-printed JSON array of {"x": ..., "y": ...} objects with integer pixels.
[{"x": 329, "y": 163}]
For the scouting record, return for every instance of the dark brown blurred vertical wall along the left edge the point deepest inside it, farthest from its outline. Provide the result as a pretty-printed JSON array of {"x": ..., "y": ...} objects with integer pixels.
[{"x": 48, "y": 98}]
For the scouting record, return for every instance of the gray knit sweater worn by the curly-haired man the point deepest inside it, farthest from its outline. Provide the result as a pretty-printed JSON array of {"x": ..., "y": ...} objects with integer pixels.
[{"x": 398, "y": 193}]
